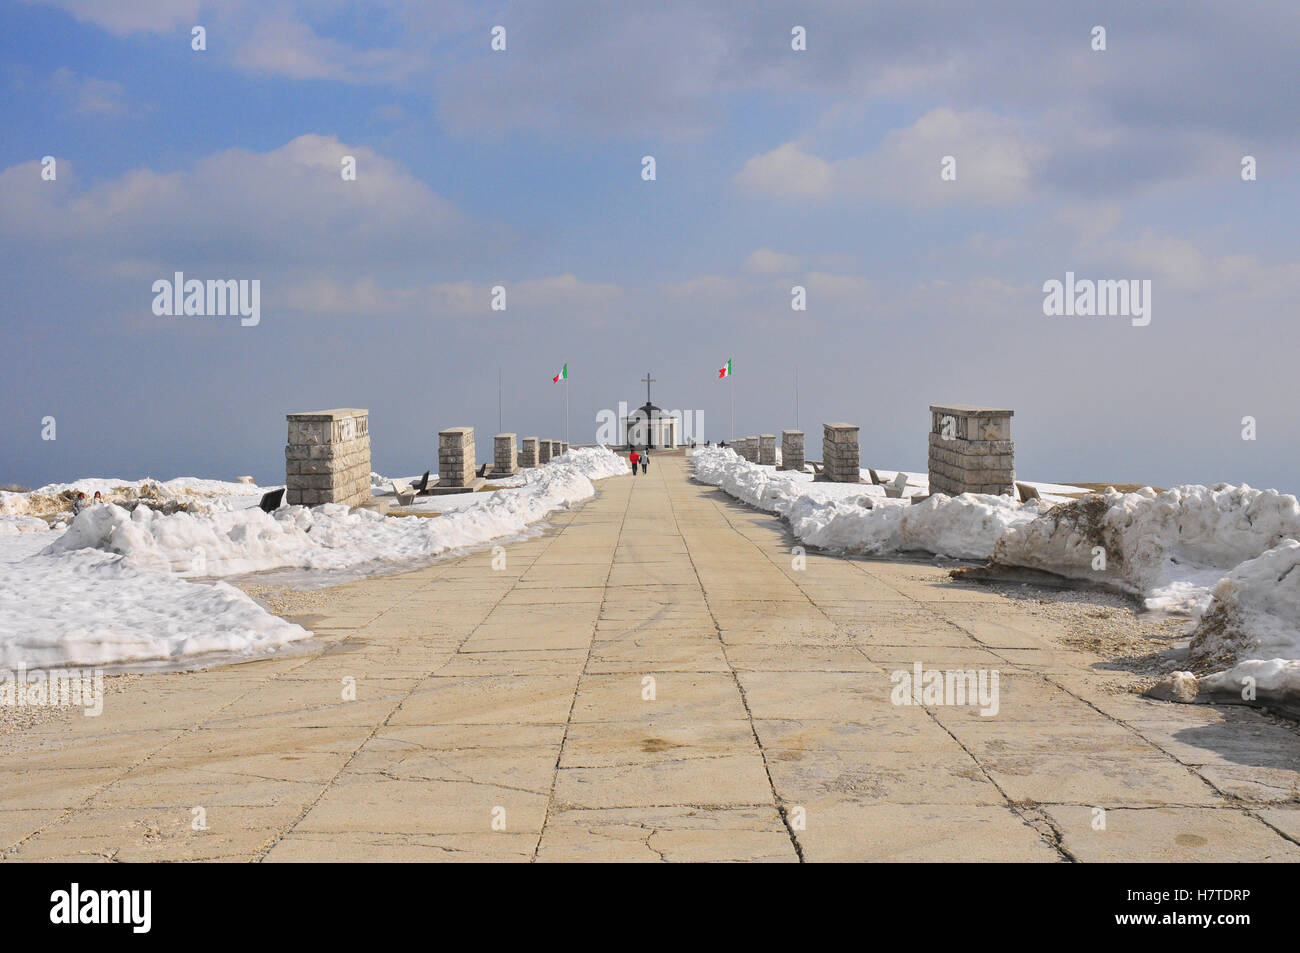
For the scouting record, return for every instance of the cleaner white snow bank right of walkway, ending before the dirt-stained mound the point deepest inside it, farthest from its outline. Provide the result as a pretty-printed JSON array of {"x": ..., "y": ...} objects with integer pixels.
[{"x": 860, "y": 519}]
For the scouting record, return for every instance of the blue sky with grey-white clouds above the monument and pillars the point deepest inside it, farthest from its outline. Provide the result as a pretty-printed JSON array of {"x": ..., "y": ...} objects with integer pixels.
[{"x": 775, "y": 168}]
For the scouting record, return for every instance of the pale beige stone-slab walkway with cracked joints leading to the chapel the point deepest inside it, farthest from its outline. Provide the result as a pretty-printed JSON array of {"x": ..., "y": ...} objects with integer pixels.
[{"x": 656, "y": 681}]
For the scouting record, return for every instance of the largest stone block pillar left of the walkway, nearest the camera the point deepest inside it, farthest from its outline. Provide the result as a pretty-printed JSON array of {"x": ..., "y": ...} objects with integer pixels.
[{"x": 328, "y": 458}]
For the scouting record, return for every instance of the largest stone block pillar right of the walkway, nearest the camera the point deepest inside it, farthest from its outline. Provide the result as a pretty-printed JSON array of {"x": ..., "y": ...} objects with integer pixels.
[{"x": 972, "y": 450}]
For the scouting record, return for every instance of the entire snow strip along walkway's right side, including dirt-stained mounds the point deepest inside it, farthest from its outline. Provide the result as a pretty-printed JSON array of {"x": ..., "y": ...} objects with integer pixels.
[{"x": 1224, "y": 556}]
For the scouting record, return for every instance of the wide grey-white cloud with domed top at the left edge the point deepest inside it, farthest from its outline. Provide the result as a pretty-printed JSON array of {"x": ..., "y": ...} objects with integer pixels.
[{"x": 288, "y": 207}]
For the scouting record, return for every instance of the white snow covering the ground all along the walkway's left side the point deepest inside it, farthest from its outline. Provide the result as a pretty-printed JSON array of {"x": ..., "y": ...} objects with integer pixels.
[{"x": 114, "y": 588}]
